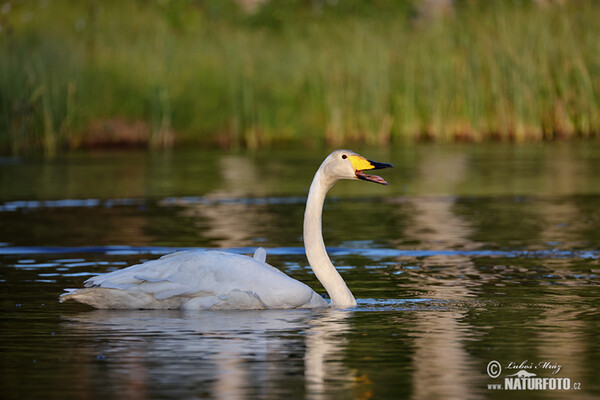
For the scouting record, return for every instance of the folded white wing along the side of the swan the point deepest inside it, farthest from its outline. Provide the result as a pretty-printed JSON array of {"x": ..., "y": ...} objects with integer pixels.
[{"x": 226, "y": 277}]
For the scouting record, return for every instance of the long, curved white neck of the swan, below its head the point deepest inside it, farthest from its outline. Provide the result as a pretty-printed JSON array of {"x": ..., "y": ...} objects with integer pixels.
[{"x": 315, "y": 247}]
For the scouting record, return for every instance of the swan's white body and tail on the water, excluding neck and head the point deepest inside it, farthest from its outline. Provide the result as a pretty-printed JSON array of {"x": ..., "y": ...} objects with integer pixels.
[{"x": 198, "y": 280}]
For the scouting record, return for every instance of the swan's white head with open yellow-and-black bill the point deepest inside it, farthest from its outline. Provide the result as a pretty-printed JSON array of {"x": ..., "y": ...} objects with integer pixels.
[{"x": 346, "y": 164}]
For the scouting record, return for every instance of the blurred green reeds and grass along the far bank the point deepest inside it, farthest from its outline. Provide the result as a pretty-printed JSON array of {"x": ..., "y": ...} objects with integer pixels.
[{"x": 85, "y": 73}]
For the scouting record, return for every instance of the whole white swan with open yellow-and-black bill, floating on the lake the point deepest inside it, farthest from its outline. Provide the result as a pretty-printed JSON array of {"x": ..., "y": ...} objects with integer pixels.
[{"x": 212, "y": 280}]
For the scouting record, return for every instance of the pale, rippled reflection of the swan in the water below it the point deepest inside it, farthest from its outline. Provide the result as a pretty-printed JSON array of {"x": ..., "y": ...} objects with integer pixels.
[{"x": 223, "y": 354}]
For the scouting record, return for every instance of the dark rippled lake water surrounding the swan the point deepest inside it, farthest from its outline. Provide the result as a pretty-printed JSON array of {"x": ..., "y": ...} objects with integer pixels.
[{"x": 474, "y": 258}]
